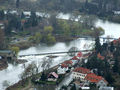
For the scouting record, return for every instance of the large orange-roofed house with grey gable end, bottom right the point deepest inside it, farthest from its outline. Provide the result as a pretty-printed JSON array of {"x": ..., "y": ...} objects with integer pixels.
[{"x": 98, "y": 80}]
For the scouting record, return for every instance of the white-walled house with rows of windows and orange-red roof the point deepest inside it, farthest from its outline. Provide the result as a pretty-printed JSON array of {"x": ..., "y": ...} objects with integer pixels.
[{"x": 80, "y": 73}]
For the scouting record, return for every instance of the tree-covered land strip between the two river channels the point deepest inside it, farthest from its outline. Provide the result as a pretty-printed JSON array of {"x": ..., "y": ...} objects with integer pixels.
[{"x": 22, "y": 31}]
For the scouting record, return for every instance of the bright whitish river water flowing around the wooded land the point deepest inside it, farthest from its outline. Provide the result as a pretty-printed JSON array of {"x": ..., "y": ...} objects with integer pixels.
[{"x": 12, "y": 73}]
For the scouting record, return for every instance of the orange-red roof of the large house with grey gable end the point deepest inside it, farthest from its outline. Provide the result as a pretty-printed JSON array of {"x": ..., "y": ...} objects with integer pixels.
[{"x": 94, "y": 78}]
